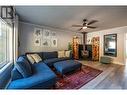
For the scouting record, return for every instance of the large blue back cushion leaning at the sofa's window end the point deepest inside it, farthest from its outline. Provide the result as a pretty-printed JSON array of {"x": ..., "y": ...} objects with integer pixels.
[{"x": 23, "y": 66}]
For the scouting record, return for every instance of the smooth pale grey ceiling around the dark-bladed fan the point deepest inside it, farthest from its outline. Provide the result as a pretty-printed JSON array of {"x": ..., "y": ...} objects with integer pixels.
[{"x": 63, "y": 17}]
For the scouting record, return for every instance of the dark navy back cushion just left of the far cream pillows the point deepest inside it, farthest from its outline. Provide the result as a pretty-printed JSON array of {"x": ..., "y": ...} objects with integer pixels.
[{"x": 49, "y": 55}]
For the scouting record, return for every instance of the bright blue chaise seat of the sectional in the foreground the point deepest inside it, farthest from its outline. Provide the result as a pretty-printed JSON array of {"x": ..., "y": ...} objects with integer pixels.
[{"x": 42, "y": 75}]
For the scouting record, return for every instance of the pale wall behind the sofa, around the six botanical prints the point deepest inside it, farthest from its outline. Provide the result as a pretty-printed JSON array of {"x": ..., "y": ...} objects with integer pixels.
[{"x": 26, "y": 38}]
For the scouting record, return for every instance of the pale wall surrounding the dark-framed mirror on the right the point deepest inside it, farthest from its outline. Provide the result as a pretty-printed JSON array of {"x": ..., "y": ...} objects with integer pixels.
[{"x": 120, "y": 31}]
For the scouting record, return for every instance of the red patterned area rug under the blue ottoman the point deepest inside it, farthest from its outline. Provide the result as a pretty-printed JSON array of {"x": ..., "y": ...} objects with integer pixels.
[{"x": 77, "y": 79}]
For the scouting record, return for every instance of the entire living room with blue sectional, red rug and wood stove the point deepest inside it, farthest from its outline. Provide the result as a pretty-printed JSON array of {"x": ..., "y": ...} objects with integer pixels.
[{"x": 72, "y": 47}]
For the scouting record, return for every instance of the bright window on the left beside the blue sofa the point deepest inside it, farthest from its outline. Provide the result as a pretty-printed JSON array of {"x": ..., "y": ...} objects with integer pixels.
[{"x": 5, "y": 43}]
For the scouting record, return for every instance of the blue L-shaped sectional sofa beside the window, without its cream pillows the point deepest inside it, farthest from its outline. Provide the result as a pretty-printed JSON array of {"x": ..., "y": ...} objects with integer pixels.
[{"x": 35, "y": 76}]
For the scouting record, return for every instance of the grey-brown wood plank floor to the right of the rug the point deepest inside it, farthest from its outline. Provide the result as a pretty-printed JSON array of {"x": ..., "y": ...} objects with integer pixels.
[{"x": 113, "y": 76}]
